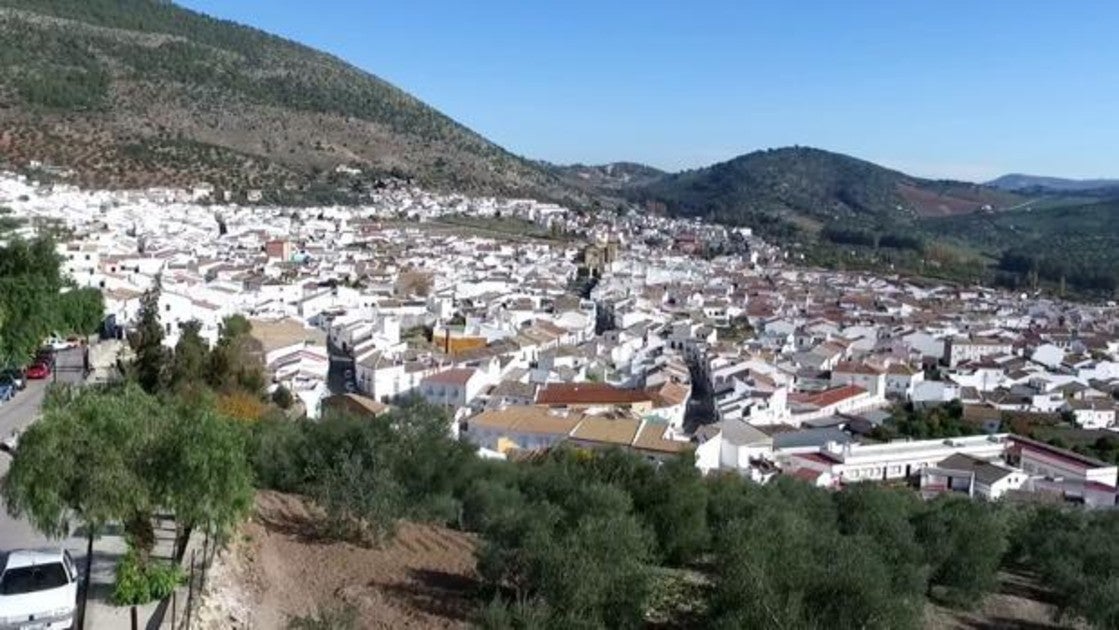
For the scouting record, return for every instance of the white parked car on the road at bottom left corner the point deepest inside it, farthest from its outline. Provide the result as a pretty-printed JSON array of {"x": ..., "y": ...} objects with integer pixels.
[{"x": 39, "y": 589}]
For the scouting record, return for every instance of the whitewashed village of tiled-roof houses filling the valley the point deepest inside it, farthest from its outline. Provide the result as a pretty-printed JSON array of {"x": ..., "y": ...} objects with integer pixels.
[{"x": 618, "y": 331}]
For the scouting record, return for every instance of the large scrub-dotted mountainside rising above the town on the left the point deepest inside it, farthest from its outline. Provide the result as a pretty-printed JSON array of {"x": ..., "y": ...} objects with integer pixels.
[{"x": 142, "y": 92}]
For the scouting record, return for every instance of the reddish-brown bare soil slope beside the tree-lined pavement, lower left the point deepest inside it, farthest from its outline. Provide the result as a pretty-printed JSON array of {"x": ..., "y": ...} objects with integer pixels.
[{"x": 280, "y": 569}]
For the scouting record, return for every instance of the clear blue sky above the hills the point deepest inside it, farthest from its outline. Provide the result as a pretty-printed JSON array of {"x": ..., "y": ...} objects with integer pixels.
[{"x": 957, "y": 89}]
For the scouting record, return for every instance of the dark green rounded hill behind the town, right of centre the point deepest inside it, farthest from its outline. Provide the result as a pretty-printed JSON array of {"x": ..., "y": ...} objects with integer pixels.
[{"x": 810, "y": 187}]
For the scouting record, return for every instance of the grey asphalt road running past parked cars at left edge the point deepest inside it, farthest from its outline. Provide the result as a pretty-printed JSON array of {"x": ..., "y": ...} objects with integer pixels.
[{"x": 17, "y": 415}]
